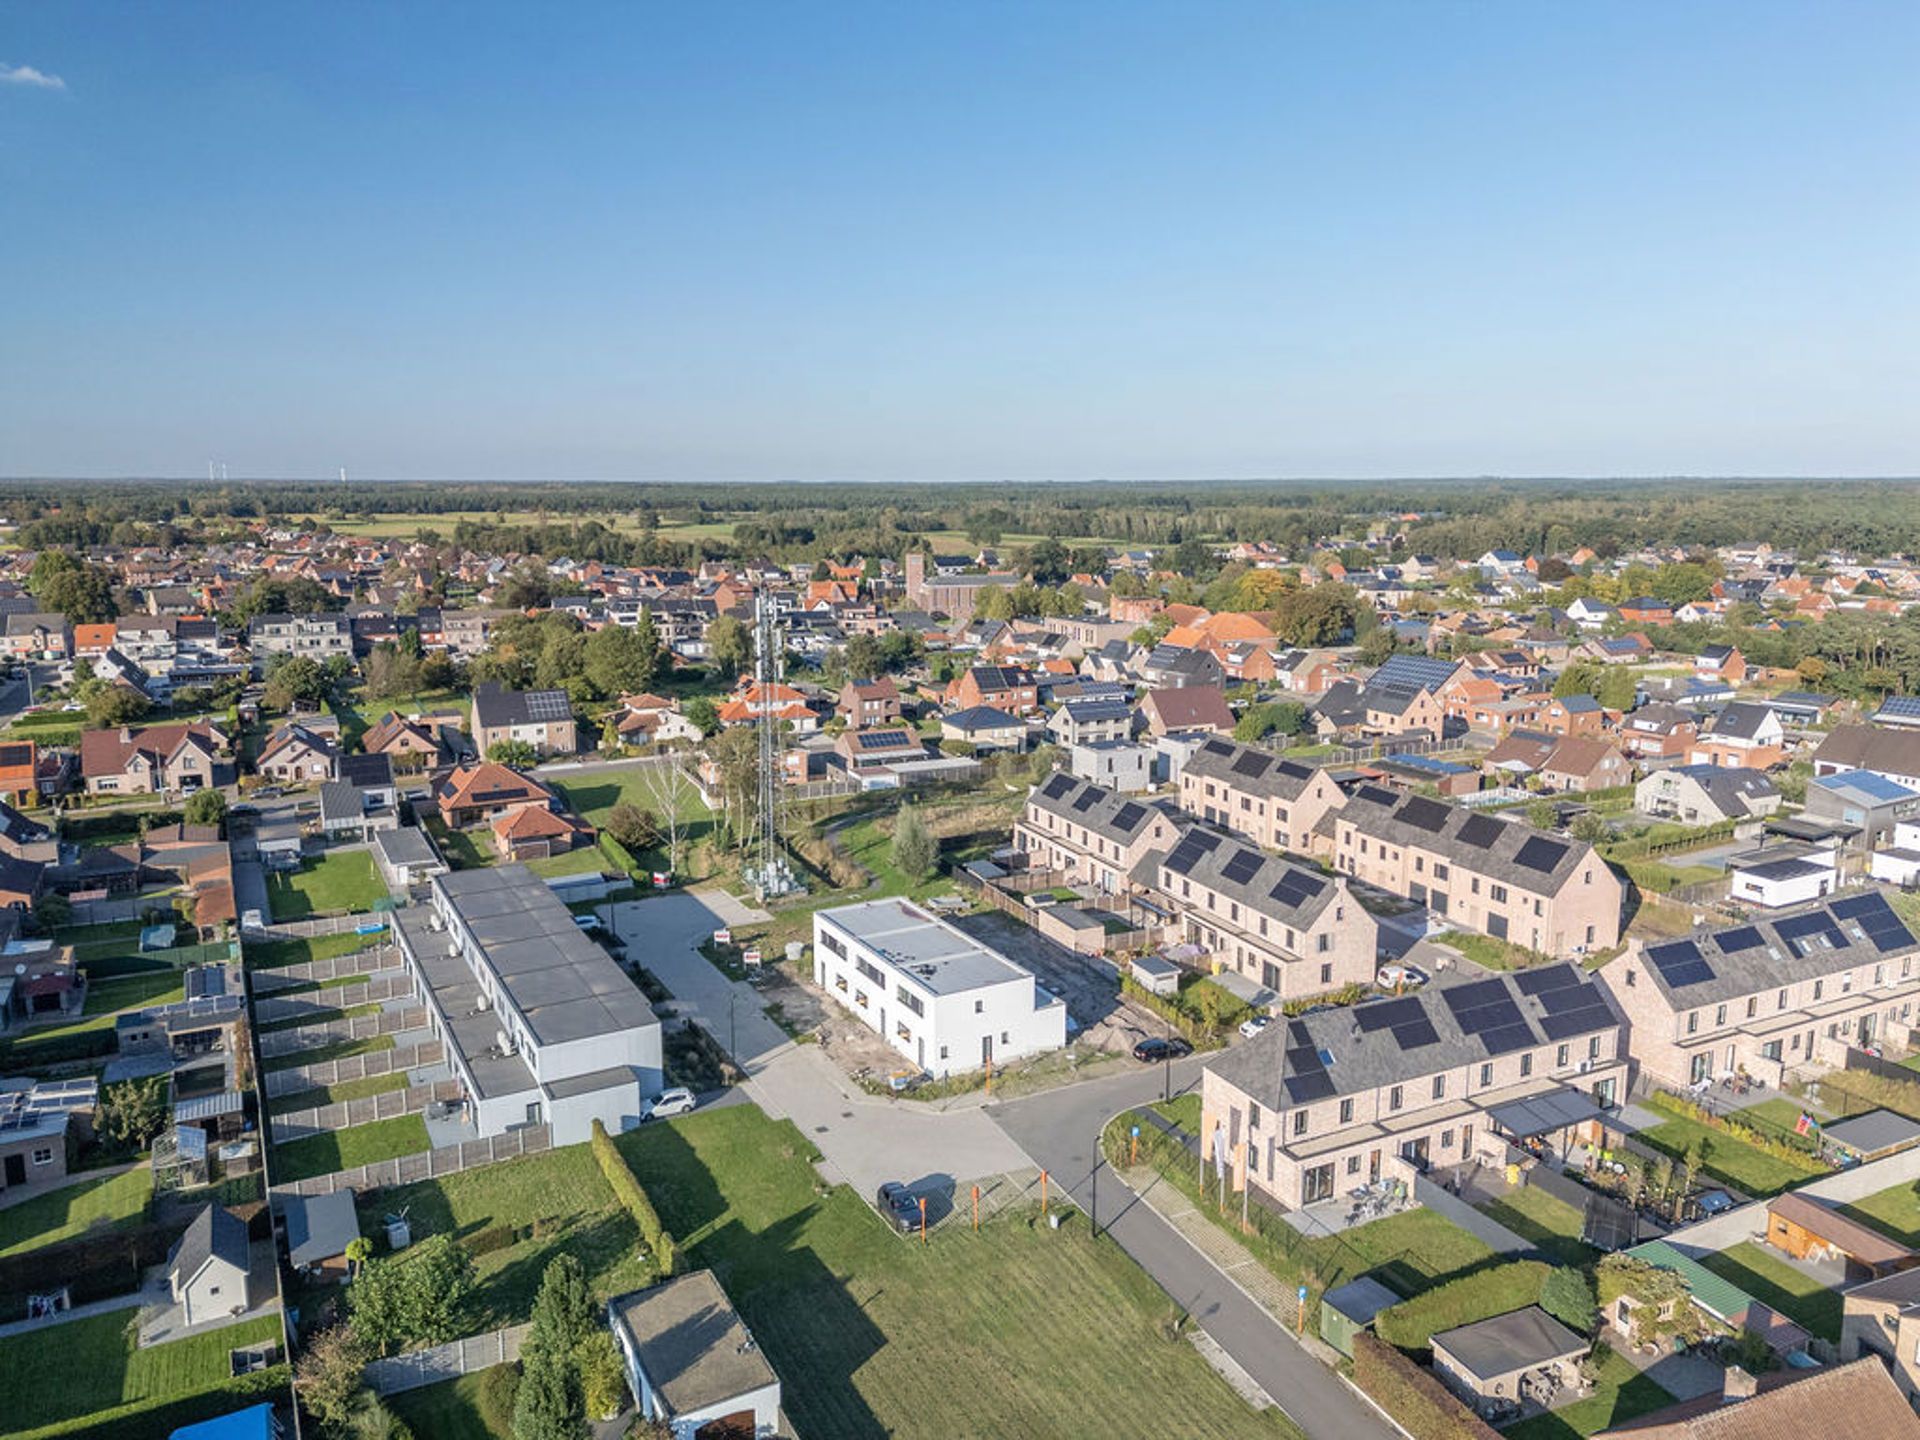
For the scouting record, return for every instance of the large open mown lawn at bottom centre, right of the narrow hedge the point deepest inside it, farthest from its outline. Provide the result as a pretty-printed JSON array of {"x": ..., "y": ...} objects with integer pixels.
[{"x": 1013, "y": 1332}]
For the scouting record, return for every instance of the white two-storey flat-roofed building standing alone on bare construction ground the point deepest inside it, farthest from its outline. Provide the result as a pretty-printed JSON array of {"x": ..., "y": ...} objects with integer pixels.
[{"x": 930, "y": 990}]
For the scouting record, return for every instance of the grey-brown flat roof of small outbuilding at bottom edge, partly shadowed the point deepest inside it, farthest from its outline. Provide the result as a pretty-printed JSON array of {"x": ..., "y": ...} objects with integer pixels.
[{"x": 692, "y": 1343}]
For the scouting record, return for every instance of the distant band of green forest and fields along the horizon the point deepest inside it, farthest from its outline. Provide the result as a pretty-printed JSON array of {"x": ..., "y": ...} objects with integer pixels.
[{"x": 636, "y": 523}]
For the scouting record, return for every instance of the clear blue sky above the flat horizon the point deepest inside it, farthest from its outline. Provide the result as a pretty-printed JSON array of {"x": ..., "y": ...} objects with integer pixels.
[{"x": 959, "y": 241}]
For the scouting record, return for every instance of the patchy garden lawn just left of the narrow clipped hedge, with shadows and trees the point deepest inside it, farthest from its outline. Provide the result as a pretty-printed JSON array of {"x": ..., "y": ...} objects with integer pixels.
[{"x": 554, "y": 1203}]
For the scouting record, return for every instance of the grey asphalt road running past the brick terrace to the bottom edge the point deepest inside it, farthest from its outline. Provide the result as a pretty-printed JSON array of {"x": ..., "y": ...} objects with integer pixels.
[{"x": 1061, "y": 1132}]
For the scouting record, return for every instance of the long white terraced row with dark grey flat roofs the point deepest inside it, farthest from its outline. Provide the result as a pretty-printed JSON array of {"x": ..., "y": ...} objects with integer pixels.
[{"x": 540, "y": 1024}]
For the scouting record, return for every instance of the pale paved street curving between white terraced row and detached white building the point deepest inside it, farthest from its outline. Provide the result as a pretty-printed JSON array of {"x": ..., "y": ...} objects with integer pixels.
[{"x": 861, "y": 1138}]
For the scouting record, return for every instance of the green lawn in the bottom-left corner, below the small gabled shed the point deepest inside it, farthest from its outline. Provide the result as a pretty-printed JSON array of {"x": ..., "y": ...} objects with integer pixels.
[{"x": 85, "y": 1366}]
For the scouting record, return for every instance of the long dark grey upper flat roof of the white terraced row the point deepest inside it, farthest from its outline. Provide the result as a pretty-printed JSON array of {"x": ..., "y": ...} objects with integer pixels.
[{"x": 562, "y": 982}]
